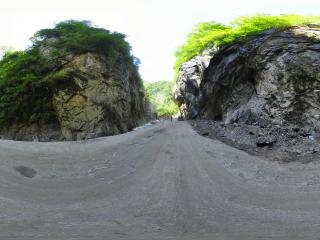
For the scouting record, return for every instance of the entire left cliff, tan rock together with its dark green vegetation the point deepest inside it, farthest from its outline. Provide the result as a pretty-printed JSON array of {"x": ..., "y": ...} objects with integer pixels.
[{"x": 76, "y": 91}]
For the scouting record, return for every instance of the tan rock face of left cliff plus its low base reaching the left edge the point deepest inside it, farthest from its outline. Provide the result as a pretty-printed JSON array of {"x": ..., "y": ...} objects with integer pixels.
[{"x": 102, "y": 98}]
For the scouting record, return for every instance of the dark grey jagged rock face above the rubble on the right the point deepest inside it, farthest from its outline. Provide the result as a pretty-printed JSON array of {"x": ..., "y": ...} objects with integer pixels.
[{"x": 273, "y": 78}]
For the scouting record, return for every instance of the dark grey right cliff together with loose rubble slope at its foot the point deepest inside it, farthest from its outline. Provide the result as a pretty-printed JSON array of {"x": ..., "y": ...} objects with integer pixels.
[{"x": 260, "y": 93}]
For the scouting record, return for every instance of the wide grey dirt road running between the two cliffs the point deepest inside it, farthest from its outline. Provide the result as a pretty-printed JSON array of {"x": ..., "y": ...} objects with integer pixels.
[{"x": 158, "y": 182}]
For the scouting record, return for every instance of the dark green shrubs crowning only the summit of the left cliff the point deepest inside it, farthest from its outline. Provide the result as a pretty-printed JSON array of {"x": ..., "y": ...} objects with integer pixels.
[{"x": 79, "y": 37}]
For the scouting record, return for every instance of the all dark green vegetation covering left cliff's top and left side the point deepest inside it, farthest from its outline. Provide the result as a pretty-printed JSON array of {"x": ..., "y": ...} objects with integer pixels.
[{"x": 28, "y": 79}]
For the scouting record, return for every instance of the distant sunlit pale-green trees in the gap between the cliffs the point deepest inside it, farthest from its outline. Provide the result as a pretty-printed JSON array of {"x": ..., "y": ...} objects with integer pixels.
[{"x": 160, "y": 97}]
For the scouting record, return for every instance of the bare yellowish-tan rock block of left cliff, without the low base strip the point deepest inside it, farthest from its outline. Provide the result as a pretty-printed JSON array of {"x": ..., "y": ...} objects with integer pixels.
[{"x": 108, "y": 99}]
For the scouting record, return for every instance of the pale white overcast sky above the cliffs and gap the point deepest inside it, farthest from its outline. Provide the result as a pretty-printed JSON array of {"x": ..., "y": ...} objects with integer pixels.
[{"x": 154, "y": 28}]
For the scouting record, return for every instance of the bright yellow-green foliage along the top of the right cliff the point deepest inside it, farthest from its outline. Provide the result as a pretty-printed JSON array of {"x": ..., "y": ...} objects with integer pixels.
[{"x": 210, "y": 34}]
